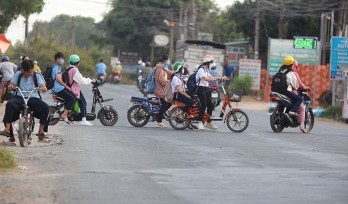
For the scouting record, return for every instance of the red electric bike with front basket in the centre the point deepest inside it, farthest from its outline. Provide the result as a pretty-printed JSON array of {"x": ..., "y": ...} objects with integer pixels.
[{"x": 236, "y": 119}]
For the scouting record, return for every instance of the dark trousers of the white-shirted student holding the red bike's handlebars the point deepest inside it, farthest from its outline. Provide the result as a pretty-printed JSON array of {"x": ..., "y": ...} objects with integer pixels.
[{"x": 204, "y": 96}]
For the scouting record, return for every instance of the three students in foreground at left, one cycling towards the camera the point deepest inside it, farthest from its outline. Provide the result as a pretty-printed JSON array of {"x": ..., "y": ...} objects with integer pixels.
[{"x": 27, "y": 80}]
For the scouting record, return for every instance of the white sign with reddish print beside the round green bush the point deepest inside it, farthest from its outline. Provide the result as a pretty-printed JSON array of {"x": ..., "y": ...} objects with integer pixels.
[{"x": 251, "y": 67}]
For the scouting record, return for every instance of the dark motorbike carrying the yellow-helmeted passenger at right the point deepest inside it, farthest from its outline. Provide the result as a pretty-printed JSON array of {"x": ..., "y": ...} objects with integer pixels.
[{"x": 280, "y": 118}]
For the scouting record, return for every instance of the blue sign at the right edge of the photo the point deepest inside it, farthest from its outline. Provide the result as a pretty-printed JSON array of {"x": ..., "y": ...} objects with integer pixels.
[{"x": 339, "y": 57}]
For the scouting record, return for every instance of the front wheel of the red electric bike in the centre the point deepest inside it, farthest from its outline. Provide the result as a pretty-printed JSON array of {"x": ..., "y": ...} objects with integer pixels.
[{"x": 237, "y": 121}]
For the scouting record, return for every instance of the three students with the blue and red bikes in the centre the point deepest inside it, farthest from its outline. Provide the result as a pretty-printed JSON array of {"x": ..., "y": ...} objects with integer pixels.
[{"x": 175, "y": 78}]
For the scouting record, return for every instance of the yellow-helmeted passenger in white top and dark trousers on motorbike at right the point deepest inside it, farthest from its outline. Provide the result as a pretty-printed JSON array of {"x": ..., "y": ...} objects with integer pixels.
[{"x": 293, "y": 84}]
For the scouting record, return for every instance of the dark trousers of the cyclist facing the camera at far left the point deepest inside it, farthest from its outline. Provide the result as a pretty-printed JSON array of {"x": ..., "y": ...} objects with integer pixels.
[{"x": 15, "y": 105}]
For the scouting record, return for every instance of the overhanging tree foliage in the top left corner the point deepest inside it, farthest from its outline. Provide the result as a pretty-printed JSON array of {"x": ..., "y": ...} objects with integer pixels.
[{"x": 10, "y": 10}]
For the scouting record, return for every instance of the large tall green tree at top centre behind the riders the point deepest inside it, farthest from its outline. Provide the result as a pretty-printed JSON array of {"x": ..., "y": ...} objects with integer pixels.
[{"x": 131, "y": 23}]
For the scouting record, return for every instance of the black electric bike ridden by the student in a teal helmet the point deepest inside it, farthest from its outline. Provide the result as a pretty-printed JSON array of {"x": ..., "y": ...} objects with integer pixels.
[{"x": 107, "y": 115}]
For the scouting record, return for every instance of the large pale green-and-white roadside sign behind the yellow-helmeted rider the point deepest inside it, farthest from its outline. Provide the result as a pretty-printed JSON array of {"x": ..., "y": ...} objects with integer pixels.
[{"x": 280, "y": 48}]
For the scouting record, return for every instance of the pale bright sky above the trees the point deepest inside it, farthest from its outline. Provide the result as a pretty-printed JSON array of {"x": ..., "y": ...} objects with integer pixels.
[{"x": 94, "y": 8}]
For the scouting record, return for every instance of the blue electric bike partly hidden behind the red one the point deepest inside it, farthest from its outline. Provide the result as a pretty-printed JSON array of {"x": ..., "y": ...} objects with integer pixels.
[{"x": 143, "y": 110}]
